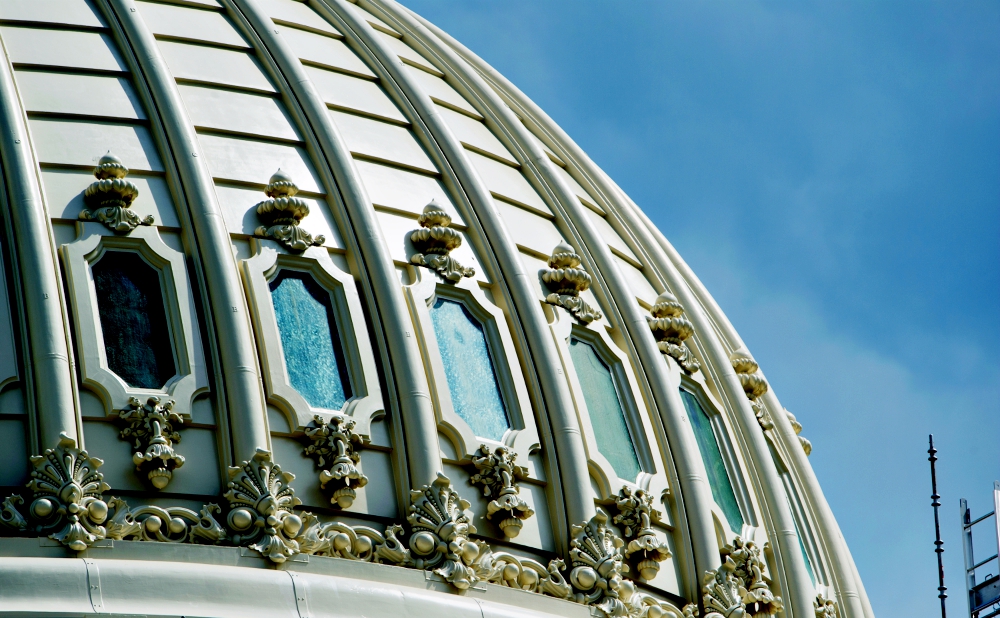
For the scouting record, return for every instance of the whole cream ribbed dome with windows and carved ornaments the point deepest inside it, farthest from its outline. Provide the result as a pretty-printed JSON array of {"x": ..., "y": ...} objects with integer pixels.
[{"x": 309, "y": 287}]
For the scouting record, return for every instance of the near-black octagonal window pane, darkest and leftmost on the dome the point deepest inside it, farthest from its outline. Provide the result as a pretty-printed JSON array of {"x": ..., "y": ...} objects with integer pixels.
[{"x": 133, "y": 321}]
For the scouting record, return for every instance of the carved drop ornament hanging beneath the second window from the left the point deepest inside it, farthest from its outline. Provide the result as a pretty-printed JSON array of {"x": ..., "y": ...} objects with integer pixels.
[{"x": 333, "y": 450}]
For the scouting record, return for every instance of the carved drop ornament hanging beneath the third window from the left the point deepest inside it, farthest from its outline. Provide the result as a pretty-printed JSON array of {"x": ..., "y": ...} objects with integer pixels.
[{"x": 497, "y": 473}]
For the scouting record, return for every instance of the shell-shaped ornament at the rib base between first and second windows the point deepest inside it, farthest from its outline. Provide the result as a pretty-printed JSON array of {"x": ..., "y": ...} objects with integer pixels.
[{"x": 261, "y": 502}]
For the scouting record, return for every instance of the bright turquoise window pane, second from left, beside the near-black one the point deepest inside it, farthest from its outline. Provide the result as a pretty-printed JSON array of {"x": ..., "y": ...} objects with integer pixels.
[{"x": 314, "y": 358}]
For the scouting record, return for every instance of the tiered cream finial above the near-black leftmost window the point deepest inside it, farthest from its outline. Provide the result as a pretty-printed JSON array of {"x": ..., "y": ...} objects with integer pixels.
[{"x": 109, "y": 198}]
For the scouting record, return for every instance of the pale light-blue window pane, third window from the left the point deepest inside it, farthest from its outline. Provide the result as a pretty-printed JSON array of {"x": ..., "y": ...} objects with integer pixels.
[{"x": 469, "y": 370}]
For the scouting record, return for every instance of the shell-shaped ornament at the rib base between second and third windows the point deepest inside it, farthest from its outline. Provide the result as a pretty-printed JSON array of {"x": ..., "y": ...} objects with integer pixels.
[{"x": 439, "y": 535}]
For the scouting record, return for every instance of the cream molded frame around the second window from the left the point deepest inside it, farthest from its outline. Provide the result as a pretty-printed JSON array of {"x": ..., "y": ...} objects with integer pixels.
[{"x": 365, "y": 403}]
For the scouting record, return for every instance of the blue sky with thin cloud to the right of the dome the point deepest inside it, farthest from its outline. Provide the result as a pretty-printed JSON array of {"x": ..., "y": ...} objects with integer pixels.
[{"x": 832, "y": 173}]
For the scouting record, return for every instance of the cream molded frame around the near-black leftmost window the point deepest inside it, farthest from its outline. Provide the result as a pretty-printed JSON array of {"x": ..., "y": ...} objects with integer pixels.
[{"x": 190, "y": 381}]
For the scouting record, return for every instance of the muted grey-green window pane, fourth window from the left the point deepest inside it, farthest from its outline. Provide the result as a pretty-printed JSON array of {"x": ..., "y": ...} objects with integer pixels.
[{"x": 606, "y": 413}]
